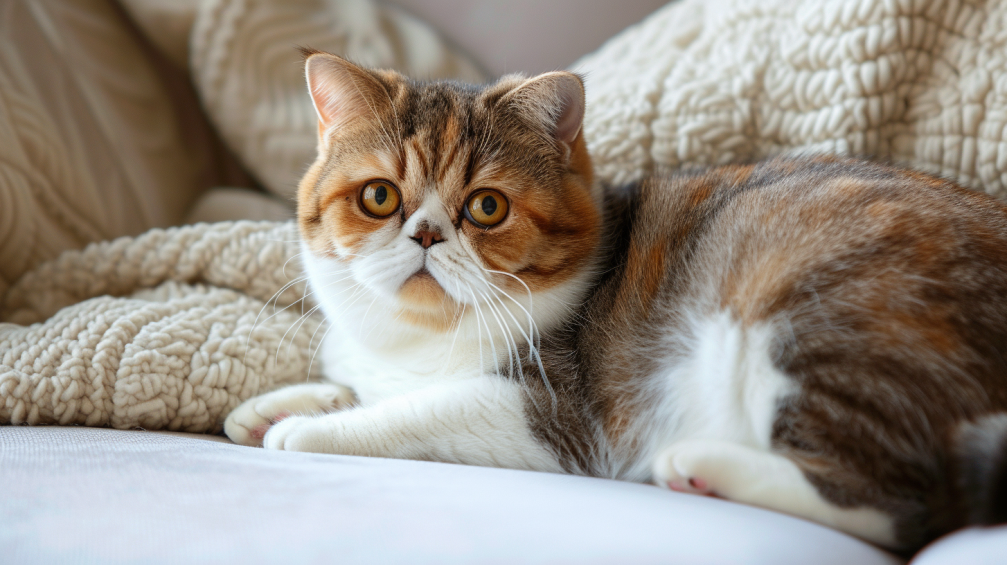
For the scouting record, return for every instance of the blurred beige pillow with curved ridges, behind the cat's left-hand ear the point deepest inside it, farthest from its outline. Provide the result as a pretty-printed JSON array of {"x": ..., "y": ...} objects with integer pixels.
[{"x": 250, "y": 75}]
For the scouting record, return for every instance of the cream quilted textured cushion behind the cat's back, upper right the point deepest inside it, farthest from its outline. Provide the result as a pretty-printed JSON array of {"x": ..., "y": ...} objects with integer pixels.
[{"x": 718, "y": 81}]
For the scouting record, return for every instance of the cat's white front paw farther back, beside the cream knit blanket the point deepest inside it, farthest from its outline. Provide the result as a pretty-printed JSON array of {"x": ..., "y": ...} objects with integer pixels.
[{"x": 248, "y": 423}]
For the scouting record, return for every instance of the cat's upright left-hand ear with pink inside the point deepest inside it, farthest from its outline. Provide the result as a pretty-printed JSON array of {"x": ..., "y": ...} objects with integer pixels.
[{"x": 341, "y": 91}]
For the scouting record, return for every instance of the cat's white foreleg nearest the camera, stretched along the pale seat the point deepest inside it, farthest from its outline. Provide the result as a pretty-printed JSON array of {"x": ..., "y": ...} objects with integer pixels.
[{"x": 480, "y": 421}]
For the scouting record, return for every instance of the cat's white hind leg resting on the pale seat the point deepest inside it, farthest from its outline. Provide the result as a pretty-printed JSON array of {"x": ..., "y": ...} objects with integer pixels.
[{"x": 763, "y": 479}]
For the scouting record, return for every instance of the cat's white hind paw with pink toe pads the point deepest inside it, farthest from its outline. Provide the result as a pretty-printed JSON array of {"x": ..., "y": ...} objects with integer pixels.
[{"x": 696, "y": 467}]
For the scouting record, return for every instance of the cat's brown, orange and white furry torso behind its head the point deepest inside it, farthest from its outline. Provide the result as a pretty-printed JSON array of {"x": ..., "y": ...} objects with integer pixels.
[{"x": 851, "y": 315}]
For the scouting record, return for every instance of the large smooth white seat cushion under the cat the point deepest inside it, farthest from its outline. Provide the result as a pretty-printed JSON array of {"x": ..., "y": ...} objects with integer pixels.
[{"x": 78, "y": 495}]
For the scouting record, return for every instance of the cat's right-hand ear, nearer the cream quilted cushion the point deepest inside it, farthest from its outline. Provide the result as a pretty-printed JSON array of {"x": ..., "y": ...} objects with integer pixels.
[{"x": 555, "y": 101}]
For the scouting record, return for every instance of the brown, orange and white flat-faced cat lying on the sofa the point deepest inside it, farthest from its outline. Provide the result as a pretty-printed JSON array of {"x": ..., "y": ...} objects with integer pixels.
[{"x": 822, "y": 337}]
